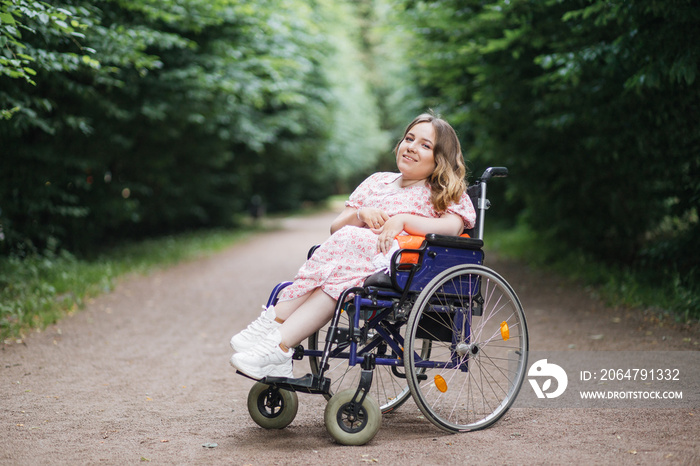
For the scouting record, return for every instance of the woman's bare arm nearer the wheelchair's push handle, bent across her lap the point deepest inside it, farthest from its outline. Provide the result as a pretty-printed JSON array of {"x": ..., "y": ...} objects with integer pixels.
[{"x": 448, "y": 224}]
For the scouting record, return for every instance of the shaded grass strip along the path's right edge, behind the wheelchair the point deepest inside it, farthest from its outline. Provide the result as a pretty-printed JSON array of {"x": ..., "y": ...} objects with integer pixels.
[{"x": 663, "y": 291}]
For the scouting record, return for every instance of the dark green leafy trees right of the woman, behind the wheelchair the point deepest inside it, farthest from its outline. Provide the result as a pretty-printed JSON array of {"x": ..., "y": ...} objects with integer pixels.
[{"x": 593, "y": 107}]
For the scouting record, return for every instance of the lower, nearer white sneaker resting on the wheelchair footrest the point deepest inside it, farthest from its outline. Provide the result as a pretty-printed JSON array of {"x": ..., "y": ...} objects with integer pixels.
[{"x": 265, "y": 359}]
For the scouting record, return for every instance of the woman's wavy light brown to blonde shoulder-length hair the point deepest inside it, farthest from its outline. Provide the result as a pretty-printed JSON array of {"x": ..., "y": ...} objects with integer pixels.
[{"x": 447, "y": 182}]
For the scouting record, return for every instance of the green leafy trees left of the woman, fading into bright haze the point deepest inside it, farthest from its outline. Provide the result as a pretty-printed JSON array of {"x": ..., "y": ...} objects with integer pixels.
[{"x": 149, "y": 117}]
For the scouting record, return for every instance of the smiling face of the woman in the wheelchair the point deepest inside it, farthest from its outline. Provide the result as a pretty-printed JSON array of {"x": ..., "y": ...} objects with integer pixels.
[{"x": 414, "y": 157}]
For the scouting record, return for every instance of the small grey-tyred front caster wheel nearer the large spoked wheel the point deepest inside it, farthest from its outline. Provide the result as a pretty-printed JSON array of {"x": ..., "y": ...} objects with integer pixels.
[{"x": 349, "y": 424}]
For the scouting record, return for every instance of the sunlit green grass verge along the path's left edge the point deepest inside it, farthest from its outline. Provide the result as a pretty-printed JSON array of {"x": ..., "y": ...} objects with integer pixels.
[{"x": 37, "y": 291}]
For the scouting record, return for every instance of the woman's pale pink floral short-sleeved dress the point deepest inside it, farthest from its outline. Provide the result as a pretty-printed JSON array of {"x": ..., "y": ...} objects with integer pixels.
[{"x": 345, "y": 259}]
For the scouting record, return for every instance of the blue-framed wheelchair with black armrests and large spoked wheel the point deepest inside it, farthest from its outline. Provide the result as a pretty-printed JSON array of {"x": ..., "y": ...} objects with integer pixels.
[{"x": 441, "y": 328}]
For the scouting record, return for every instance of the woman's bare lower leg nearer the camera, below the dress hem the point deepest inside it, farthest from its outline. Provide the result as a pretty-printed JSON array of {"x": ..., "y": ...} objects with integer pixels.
[{"x": 307, "y": 317}]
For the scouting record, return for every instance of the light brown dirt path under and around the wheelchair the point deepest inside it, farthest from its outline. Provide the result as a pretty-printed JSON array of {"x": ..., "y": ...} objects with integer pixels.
[{"x": 142, "y": 375}]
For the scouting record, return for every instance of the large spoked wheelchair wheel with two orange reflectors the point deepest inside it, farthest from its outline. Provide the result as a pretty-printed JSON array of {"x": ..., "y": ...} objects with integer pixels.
[{"x": 479, "y": 348}]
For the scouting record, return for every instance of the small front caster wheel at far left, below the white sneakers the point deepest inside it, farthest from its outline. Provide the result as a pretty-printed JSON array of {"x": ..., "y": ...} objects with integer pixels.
[{"x": 270, "y": 407}]
